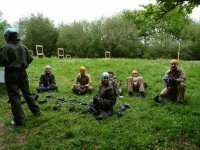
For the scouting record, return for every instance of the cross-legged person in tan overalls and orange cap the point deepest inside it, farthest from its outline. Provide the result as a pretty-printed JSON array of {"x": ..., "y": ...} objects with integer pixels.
[{"x": 83, "y": 82}]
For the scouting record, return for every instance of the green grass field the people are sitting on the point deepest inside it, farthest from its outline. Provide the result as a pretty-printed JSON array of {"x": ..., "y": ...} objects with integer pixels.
[{"x": 145, "y": 125}]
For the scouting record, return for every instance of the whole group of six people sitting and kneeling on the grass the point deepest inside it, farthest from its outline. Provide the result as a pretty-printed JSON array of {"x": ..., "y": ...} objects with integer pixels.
[{"x": 110, "y": 87}]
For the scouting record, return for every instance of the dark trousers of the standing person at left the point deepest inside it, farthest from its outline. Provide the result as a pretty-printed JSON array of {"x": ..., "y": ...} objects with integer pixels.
[{"x": 15, "y": 81}]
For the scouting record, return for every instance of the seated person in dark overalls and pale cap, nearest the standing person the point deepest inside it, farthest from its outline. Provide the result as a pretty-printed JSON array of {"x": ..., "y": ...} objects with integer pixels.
[{"x": 47, "y": 80}]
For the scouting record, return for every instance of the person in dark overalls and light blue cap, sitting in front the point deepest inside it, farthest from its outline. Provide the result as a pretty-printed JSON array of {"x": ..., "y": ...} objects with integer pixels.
[{"x": 104, "y": 100}]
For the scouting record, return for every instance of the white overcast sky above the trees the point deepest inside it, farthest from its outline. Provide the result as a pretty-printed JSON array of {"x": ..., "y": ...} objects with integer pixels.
[{"x": 67, "y": 11}]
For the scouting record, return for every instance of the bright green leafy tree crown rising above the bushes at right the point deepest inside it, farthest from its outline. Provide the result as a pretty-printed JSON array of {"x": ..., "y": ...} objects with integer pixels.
[{"x": 148, "y": 22}]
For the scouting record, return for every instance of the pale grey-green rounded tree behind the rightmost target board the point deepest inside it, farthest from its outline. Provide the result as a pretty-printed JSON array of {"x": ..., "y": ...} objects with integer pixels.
[{"x": 120, "y": 37}]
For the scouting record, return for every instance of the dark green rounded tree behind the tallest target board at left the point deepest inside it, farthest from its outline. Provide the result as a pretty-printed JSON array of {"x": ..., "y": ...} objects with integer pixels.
[{"x": 38, "y": 30}]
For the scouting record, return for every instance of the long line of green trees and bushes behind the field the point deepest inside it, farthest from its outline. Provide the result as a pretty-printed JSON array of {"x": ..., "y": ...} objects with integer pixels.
[{"x": 129, "y": 34}]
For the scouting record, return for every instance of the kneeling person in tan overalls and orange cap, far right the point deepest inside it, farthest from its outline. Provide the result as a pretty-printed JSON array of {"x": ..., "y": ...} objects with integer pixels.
[{"x": 175, "y": 83}]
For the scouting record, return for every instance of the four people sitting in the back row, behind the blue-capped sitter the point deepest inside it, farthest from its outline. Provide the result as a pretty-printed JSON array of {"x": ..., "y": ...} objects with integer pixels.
[{"x": 83, "y": 83}]
